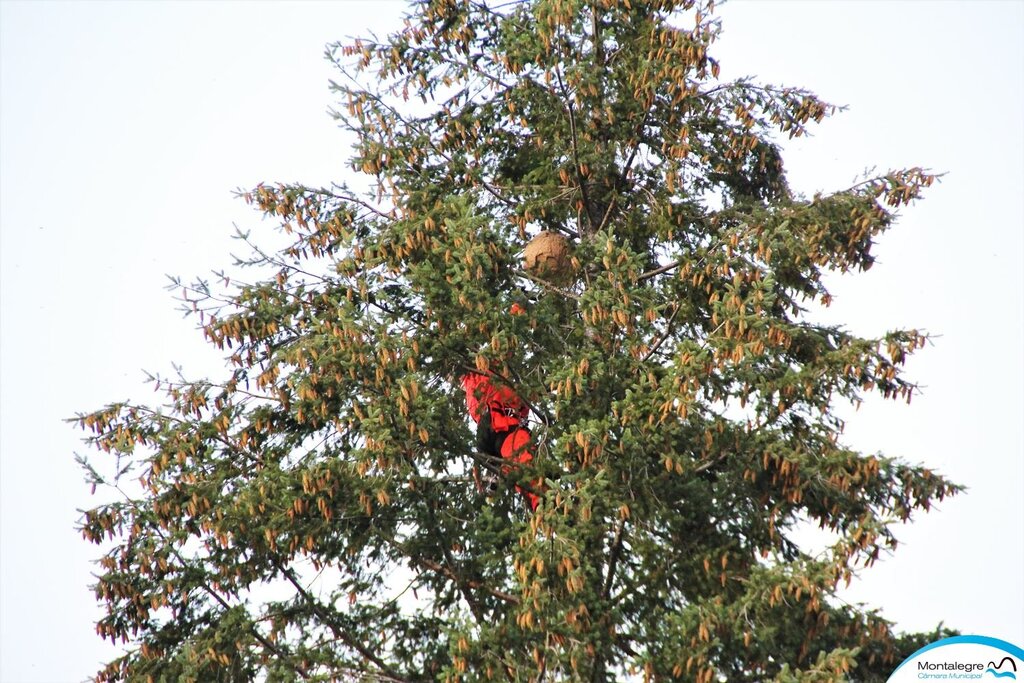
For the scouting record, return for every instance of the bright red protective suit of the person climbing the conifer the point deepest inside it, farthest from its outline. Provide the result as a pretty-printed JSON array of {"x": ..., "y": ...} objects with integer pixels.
[{"x": 503, "y": 432}]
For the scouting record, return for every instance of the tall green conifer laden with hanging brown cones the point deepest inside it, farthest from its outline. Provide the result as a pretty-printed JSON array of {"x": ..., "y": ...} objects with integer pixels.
[{"x": 319, "y": 514}]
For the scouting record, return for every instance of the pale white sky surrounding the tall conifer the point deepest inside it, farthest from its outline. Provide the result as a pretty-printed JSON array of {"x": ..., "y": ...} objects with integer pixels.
[{"x": 124, "y": 127}]
